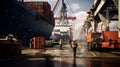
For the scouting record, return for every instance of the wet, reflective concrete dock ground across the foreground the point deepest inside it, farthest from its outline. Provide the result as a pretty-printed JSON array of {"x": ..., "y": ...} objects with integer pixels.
[{"x": 55, "y": 57}]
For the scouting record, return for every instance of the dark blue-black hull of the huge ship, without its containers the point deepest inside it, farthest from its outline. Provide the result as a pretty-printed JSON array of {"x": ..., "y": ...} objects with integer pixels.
[{"x": 23, "y": 22}]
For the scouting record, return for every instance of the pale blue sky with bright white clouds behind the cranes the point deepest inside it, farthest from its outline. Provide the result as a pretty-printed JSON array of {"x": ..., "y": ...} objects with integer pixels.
[{"x": 78, "y": 8}]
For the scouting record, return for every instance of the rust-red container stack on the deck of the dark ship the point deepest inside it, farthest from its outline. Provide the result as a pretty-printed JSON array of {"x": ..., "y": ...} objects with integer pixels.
[{"x": 43, "y": 9}]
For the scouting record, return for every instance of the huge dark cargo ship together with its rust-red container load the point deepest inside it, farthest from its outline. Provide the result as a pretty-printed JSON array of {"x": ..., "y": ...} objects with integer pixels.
[{"x": 26, "y": 19}]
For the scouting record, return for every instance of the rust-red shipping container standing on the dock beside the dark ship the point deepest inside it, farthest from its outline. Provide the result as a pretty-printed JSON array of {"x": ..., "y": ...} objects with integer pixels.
[{"x": 39, "y": 42}]
